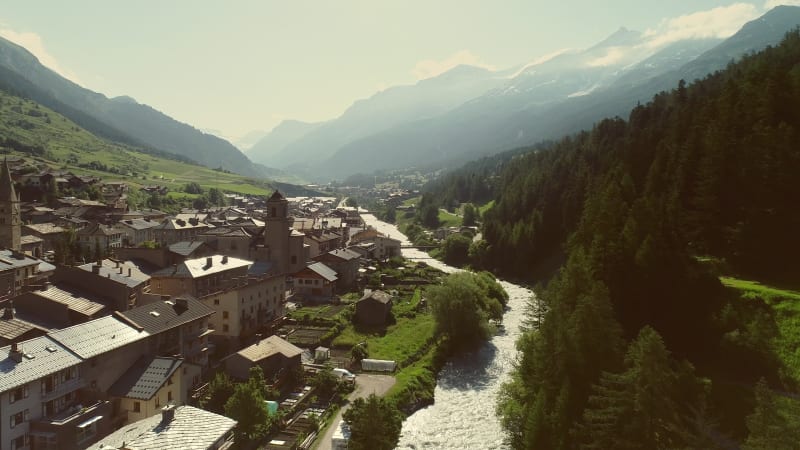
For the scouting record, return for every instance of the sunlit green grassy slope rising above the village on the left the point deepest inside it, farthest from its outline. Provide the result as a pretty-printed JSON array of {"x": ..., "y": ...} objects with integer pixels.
[{"x": 65, "y": 141}]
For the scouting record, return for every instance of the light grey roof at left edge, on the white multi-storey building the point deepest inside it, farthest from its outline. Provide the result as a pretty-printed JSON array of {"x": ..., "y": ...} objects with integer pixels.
[{"x": 43, "y": 362}]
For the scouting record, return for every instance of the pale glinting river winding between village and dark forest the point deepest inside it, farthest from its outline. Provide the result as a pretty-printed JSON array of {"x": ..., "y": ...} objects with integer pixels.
[{"x": 463, "y": 415}]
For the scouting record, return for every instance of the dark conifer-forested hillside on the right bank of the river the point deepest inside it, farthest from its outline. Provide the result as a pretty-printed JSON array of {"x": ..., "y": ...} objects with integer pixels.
[{"x": 705, "y": 172}]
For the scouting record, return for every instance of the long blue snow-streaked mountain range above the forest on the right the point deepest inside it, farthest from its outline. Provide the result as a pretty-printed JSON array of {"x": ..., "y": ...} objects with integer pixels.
[{"x": 542, "y": 101}]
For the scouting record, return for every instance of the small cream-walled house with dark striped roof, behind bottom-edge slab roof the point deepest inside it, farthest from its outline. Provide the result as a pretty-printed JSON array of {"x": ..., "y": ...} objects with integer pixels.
[{"x": 148, "y": 385}]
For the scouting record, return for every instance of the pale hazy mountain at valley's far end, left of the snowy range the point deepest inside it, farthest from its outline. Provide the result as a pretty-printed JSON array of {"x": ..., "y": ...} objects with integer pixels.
[{"x": 386, "y": 109}]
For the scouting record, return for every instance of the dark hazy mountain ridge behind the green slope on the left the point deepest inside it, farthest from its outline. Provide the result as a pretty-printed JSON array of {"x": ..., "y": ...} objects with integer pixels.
[{"x": 122, "y": 119}]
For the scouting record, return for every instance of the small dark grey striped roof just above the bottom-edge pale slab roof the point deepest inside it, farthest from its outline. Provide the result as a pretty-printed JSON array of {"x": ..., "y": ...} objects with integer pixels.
[{"x": 145, "y": 378}]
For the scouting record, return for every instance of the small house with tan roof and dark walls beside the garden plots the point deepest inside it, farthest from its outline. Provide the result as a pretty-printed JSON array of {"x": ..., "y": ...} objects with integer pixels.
[{"x": 275, "y": 356}]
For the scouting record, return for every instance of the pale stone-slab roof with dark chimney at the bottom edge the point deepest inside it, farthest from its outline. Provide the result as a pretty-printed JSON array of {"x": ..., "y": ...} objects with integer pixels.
[{"x": 176, "y": 428}]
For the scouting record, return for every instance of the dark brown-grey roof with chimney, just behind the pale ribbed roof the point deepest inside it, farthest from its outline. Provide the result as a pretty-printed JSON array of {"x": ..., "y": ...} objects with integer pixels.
[{"x": 167, "y": 315}]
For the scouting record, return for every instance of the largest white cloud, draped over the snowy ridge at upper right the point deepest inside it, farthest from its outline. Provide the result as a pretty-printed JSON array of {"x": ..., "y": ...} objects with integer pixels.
[{"x": 720, "y": 22}]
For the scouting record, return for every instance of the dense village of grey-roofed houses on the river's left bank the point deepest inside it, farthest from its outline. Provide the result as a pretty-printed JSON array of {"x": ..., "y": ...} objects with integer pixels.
[{"x": 114, "y": 322}]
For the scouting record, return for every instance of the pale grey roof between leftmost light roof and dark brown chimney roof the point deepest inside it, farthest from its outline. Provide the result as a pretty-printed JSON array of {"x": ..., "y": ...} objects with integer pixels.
[{"x": 92, "y": 338}]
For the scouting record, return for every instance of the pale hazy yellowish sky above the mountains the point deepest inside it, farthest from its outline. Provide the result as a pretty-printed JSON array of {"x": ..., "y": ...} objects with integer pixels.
[{"x": 243, "y": 65}]
